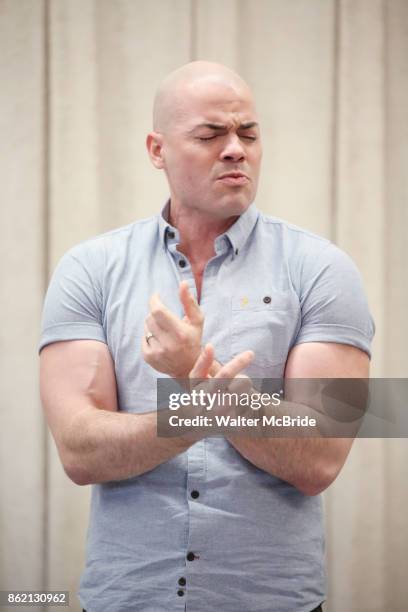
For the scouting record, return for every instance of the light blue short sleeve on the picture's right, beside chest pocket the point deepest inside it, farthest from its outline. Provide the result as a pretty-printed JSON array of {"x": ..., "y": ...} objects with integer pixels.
[{"x": 333, "y": 304}]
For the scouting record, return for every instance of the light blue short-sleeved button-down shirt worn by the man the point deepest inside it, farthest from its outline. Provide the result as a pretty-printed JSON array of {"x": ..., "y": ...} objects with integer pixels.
[{"x": 257, "y": 543}]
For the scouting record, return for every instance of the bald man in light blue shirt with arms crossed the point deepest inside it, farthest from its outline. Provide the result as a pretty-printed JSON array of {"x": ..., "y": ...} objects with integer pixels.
[{"x": 199, "y": 523}]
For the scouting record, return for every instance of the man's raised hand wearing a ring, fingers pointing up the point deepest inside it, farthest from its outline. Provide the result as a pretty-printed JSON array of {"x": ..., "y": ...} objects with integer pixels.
[{"x": 176, "y": 343}]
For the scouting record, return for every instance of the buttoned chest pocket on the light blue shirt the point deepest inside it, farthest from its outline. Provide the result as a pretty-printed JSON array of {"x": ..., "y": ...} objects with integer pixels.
[{"x": 265, "y": 323}]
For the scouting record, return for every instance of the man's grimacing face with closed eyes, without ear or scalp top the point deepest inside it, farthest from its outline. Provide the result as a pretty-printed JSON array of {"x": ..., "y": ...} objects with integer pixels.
[{"x": 212, "y": 150}]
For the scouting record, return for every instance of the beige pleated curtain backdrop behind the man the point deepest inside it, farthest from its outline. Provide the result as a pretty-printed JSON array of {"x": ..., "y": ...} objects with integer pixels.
[{"x": 77, "y": 79}]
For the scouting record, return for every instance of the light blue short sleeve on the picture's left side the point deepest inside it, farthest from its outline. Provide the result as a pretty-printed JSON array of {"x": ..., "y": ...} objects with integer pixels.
[{"x": 73, "y": 303}]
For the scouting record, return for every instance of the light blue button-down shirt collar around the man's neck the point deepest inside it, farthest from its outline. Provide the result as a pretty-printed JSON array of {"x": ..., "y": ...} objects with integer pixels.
[{"x": 237, "y": 234}]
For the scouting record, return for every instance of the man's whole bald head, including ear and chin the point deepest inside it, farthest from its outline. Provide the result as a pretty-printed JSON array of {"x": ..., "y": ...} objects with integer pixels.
[{"x": 205, "y": 126}]
